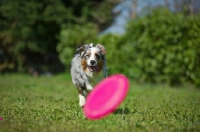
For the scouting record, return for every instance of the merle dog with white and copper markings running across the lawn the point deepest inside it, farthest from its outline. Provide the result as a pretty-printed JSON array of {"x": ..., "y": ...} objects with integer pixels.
[{"x": 88, "y": 67}]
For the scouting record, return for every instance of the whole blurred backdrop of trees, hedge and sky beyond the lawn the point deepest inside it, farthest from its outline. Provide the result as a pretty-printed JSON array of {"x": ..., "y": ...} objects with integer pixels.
[{"x": 152, "y": 41}]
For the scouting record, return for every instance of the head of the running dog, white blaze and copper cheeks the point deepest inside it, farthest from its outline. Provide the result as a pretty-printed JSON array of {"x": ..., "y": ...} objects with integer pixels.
[{"x": 92, "y": 57}]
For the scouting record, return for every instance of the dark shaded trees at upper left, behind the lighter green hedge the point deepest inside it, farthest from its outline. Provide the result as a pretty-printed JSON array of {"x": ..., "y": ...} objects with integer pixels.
[{"x": 29, "y": 29}]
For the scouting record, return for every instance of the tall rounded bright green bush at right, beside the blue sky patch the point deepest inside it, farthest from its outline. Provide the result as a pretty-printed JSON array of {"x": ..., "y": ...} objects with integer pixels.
[{"x": 166, "y": 47}]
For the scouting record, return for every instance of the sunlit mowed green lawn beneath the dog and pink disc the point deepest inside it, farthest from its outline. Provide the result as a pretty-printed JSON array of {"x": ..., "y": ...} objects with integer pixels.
[{"x": 51, "y": 105}]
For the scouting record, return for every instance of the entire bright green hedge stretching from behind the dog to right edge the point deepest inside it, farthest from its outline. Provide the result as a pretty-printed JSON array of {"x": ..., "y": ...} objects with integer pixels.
[{"x": 161, "y": 47}]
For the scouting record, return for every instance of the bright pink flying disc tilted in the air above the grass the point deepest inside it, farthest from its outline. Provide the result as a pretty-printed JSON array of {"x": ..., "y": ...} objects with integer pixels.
[{"x": 106, "y": 96}]
